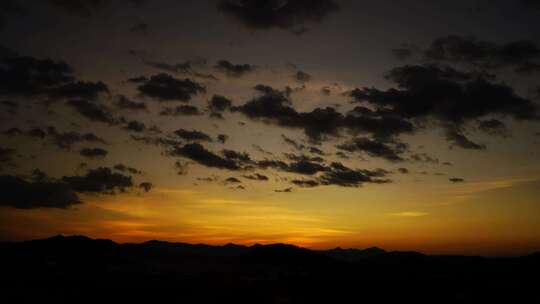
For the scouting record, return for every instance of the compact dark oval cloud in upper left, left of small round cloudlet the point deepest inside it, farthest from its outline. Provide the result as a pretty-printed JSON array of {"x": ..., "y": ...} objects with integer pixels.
[{"x": 165, "y": 87}]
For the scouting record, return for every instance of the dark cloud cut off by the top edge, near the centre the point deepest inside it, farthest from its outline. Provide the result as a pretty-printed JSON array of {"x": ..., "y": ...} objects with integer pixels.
[{"x": 292, "y": 15}]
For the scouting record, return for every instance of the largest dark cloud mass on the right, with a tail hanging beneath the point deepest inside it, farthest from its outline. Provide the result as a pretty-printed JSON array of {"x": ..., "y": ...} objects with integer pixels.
[{"x": 448, "y": 96}]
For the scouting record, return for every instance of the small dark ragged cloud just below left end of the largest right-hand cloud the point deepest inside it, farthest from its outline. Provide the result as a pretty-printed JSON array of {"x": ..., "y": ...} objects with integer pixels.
[{"x": 389, "y": 150}]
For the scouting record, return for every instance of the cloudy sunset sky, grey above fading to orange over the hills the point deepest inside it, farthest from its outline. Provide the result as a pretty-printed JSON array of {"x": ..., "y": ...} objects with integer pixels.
[{"x": 323, "y": 123}]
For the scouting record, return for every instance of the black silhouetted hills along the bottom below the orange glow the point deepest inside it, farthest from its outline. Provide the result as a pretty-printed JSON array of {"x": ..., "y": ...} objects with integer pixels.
[{"x": 82, "y": 270}]
